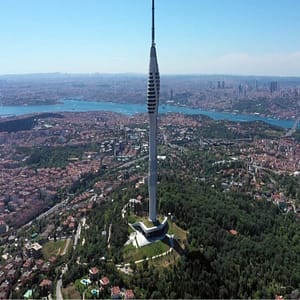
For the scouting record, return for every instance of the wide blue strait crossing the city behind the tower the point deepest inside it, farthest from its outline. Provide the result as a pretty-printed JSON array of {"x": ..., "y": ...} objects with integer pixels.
[{"x": 130, "y": 109}]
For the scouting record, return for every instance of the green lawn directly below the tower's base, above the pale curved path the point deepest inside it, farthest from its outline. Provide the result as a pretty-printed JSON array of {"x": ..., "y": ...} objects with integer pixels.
[{"x": 132, "y": 254}]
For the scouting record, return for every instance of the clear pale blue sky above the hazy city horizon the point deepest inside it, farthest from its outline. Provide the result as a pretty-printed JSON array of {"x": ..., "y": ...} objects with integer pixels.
[{"x": 246, "y": 37}]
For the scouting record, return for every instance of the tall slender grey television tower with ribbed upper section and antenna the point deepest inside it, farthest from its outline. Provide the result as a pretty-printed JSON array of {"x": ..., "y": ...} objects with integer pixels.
[{"x": 152, "y": 103}]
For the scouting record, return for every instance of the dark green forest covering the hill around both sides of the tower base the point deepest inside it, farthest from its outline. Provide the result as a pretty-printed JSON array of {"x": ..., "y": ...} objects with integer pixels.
[{"x": 237, "y": 247}]
